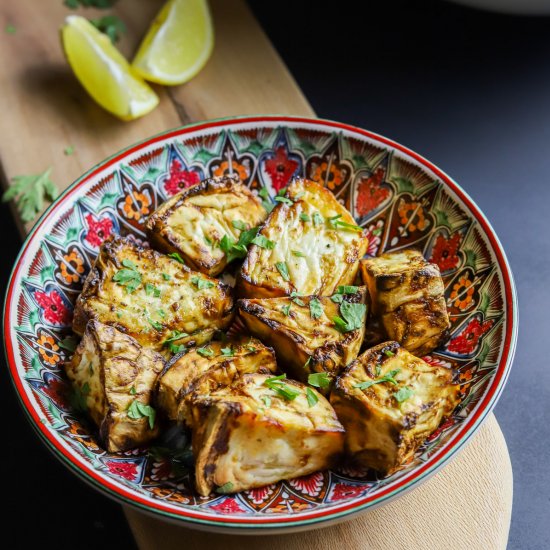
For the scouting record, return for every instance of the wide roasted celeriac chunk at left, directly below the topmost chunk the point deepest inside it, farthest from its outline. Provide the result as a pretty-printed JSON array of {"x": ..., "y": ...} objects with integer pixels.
[{"x": 152, "y": 297}]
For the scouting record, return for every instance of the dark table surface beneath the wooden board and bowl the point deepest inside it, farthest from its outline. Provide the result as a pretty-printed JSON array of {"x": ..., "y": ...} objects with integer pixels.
[{"x": 468, "y": 90}]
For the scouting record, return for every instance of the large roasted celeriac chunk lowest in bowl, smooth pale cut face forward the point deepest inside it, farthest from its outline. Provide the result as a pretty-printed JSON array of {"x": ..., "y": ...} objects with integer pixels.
[{"x": 261, "y": 430}]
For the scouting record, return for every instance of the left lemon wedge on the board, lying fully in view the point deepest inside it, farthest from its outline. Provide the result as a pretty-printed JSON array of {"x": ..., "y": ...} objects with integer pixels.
[{"x": 104, "y": 72}]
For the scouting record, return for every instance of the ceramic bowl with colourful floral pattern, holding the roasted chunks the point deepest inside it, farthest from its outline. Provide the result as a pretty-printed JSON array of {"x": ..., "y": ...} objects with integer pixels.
[{"x": 399, "y": 197}]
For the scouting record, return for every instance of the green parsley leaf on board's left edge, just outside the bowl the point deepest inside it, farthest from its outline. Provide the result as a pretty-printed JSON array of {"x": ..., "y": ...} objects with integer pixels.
[{"x": 29, "y": 193}]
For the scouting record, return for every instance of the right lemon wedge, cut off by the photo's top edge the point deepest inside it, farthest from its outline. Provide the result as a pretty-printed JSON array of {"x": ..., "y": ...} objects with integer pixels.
[{"x": 178, "y": 43}]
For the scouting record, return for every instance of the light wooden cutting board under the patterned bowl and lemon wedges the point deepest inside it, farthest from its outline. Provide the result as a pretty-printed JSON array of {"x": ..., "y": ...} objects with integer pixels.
[{"x": 45, "y": 110}]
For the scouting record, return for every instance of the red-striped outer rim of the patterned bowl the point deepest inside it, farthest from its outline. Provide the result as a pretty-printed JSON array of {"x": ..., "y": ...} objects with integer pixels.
[{"x": 321, "y": 517}]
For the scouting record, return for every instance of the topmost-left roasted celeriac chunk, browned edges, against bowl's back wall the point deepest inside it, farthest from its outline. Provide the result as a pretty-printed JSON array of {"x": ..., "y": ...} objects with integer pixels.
[{"x": 194, "y": 222}]
